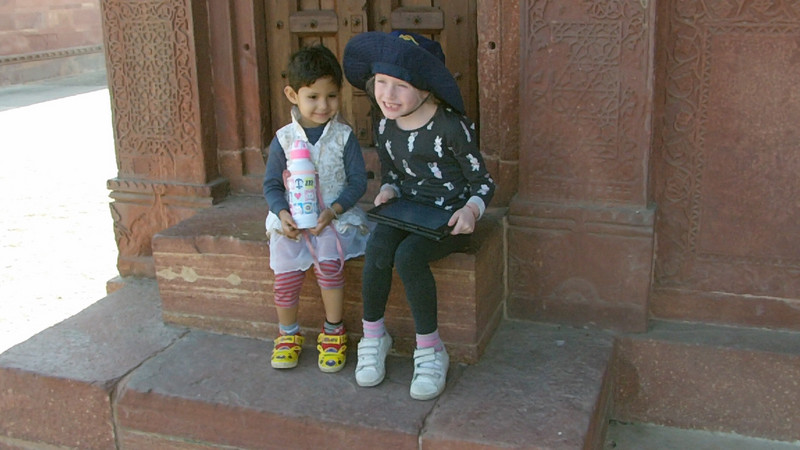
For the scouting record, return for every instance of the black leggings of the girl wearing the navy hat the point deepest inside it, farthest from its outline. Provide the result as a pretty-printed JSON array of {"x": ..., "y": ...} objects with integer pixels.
[{"x": 411, "y": 254}]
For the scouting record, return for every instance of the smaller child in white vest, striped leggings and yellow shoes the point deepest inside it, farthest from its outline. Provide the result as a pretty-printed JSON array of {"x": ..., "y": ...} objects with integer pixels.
[{"x": 315, "y": 79}]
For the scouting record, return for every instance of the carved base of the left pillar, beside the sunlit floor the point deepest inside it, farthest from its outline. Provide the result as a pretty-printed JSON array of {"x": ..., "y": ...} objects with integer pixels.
[{"x": 143, "y": 208}]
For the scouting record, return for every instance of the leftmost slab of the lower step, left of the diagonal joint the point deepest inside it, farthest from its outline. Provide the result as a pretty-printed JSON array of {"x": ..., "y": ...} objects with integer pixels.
[{"x": 56, "y": 388}]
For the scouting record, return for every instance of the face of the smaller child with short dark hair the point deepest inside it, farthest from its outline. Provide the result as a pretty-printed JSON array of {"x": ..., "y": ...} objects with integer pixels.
[{"x": 317, "y": 103}]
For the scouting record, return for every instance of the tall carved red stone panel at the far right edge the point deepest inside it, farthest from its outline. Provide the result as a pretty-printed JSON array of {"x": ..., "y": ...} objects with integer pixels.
[{"x": 728, "y": 164}]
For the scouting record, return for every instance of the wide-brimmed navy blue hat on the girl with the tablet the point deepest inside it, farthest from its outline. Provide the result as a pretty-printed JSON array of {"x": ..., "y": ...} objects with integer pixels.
[{"x": 404, "y": 55}]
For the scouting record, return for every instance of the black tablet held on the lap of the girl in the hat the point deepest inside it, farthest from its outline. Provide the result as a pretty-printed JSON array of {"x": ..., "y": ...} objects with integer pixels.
[{"x": 420, "y": 218}]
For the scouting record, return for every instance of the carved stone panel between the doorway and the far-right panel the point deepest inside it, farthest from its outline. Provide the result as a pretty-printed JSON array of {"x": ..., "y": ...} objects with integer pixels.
[{"x": 585, "y": 106}]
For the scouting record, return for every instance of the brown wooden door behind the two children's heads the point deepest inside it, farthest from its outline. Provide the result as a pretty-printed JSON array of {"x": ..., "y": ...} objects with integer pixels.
[{"x": 292, "y": 24}]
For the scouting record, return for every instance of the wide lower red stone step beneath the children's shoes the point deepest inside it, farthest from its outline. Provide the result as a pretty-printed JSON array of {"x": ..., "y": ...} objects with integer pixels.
[{"x": 116, "y": 376}]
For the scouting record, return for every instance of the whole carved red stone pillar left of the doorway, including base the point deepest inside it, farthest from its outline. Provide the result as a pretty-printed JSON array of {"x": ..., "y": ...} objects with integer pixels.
[{"x": 160, "y": 85}]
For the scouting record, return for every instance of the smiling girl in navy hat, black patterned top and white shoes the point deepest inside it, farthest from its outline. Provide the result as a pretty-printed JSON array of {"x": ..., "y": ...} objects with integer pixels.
[{"x": 428, "y": 153}]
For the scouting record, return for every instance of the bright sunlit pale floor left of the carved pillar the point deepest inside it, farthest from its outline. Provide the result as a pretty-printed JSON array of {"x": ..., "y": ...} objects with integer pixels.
[{"x": 57, "y": 249}]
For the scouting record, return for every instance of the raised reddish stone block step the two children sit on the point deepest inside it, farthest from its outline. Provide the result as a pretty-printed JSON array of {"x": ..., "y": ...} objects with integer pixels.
[{"x": 213, "y": 274}]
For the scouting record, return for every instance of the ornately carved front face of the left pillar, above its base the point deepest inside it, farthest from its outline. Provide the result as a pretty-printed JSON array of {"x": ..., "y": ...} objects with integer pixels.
[{"x": 153, "y": 80}]
